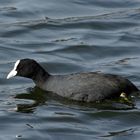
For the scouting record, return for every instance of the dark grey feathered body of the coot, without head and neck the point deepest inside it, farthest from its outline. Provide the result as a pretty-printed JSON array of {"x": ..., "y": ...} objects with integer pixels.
[{"x": 89, "y": 86}]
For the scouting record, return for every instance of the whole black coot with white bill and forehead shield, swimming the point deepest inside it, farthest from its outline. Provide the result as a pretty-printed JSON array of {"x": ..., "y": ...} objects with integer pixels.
[{"x": 88, "y": 87}]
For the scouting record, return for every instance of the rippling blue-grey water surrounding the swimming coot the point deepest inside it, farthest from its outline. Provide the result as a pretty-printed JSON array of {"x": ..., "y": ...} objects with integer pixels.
[{"x": 66, "y": 37}]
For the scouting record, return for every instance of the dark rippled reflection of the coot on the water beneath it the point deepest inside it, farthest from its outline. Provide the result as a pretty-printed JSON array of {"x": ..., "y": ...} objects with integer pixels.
[{"x": 40, "y": 97}]
